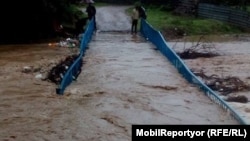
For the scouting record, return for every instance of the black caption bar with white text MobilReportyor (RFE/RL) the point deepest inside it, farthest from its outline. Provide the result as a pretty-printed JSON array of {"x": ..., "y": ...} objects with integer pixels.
[{"x": 190, "y": 132}]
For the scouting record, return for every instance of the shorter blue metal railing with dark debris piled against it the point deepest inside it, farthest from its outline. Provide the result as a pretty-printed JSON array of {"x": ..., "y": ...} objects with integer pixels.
[{"x": 75, "y": 68}]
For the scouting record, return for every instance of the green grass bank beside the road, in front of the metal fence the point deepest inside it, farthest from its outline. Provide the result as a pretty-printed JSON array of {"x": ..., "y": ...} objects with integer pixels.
[{"x": 192, "y": 26}]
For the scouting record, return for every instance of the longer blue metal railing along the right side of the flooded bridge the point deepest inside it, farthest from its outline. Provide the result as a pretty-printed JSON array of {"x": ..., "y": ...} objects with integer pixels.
[{"x": 157, "y": 39}]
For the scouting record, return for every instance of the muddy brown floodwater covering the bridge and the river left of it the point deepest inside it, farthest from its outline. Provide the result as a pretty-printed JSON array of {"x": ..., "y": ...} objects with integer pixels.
[{"x": 124, "y": 81}]
